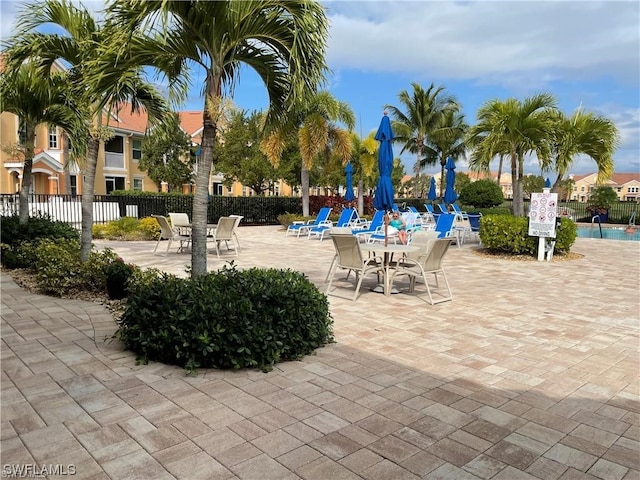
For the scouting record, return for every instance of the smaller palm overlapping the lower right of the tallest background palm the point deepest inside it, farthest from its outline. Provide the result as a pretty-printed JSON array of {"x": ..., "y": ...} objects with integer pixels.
[{"x": 447, "y": 139}]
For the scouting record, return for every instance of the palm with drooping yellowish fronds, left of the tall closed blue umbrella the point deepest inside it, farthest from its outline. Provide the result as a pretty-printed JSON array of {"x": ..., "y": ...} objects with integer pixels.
[{"x": 315, "y": 121}]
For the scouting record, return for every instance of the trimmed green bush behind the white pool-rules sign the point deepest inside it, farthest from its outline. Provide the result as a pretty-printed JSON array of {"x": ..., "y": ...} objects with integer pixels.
[{"x": 509, "y": 234}]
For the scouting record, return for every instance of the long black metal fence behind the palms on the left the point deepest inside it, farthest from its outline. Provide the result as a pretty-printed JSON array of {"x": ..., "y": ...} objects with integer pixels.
[{"x": 106, "y": 208}]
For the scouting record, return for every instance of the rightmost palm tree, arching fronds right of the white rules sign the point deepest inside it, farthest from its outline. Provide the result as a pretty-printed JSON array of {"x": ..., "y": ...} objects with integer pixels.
[{"x": 588, "y": 134}]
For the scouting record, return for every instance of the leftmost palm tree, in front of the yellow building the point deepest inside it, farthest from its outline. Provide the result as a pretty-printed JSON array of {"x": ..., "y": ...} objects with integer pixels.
[{"x": 36, "y": 99}]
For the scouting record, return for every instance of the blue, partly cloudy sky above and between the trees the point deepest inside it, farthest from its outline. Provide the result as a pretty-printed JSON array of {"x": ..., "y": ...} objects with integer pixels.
[{"x": 585, "y": 53}]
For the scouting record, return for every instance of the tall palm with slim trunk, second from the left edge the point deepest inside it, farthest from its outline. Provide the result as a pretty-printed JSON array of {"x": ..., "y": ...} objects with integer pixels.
[{"x": 103, "y": 75}]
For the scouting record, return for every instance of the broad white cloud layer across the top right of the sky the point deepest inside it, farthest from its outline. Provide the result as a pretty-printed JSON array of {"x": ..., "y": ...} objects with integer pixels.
[{"x": 501, "y": 41}]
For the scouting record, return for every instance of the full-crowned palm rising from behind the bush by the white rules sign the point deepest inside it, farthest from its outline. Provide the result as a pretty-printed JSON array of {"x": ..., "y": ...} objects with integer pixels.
[{"x": 514, "y": 129}]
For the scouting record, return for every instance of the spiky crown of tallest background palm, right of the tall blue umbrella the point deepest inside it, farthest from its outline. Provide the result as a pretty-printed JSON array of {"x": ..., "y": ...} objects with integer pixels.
[{"x": 424, "y": 109}]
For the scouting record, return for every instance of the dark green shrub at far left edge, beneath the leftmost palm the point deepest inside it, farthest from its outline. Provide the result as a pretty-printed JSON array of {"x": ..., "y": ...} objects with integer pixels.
[{"x": 14, "y": 236}]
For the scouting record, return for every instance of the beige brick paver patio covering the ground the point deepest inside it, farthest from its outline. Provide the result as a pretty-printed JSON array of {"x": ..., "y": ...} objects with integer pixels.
[{"x": 531, "y": 372}]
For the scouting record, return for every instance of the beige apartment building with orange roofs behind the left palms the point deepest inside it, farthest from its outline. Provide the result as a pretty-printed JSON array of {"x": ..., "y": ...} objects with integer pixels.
[{"x": 118, "y": 159}]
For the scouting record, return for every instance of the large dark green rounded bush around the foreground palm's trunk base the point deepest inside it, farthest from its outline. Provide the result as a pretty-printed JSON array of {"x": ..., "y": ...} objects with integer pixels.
[{"x": 226, "y": 319}]
